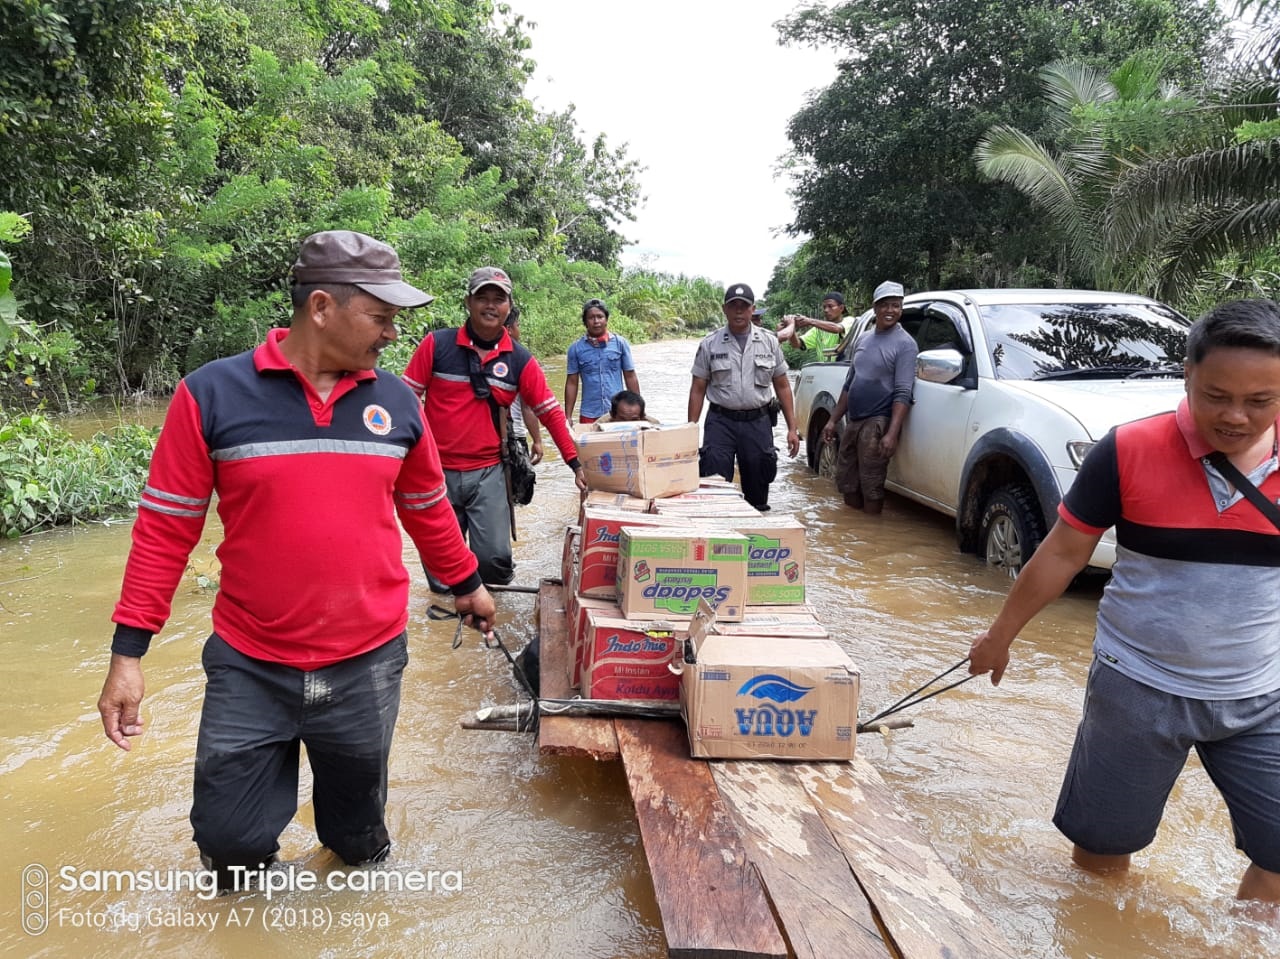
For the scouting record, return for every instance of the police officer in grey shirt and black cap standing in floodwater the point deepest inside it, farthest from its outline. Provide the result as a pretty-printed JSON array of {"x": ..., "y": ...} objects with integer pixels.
[{"x": 738, "y": 369}]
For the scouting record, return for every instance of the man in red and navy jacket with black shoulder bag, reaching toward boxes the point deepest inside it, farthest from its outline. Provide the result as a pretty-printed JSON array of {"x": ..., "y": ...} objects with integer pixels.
[{"x": 467, "y": 378}]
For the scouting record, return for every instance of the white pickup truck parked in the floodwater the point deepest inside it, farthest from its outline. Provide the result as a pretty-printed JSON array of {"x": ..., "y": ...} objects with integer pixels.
[{"x": 1013, "y": 387}]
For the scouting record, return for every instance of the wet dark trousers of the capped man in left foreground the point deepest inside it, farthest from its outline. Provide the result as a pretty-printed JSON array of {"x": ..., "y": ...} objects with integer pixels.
[{"x": 255, "y": 716}]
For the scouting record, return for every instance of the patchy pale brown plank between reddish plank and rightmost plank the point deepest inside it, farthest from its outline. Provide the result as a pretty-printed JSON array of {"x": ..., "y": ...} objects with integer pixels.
[{"x": 822, "y": 910}]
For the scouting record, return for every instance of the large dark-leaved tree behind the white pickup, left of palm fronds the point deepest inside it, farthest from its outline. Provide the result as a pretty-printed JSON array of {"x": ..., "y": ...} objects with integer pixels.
[{"x": 885, "y": 176}]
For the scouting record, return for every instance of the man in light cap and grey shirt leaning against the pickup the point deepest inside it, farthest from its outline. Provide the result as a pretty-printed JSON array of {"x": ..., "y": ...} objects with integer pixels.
[{"x": 876, "y": 398}]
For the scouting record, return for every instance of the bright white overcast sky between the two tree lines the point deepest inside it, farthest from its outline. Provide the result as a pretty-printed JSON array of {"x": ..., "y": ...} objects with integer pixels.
[{"x": 702, "y": 93}]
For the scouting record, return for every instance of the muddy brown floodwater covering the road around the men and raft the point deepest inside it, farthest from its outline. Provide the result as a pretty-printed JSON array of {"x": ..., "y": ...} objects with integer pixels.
[{"x": 522, "y": 856}]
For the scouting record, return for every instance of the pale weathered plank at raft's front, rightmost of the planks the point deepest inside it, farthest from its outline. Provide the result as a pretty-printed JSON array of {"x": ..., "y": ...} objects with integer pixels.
[{"x": 920, "y": 902}]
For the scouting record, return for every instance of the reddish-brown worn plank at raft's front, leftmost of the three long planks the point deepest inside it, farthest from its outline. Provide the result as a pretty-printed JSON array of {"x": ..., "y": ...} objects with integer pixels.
[{"x": 710, "y": 896}]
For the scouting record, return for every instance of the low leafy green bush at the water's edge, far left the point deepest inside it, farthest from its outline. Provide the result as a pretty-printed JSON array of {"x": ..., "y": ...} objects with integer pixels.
[{"x": 49, "y": 478}]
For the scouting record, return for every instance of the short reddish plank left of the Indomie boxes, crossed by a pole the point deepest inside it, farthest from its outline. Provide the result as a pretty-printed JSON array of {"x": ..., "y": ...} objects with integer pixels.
[{"x": 565, "y": 736}]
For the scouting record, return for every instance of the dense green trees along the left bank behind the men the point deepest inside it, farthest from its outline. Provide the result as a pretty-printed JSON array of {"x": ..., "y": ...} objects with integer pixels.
[{"x": 168, "y": 156}]
